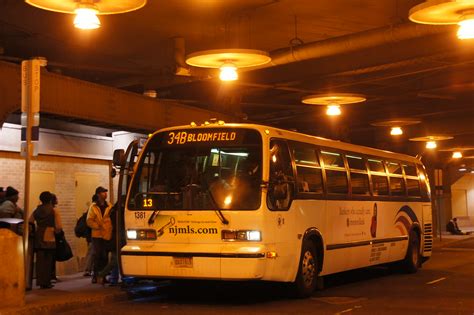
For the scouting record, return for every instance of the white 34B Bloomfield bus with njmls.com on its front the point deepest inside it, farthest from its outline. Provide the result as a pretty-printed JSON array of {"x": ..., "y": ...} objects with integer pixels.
[{"x": 249, "y": 202}]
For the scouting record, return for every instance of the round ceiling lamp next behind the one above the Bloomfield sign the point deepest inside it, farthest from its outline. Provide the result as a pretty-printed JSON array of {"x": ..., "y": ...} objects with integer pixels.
[{"x": 333, "y": 101}]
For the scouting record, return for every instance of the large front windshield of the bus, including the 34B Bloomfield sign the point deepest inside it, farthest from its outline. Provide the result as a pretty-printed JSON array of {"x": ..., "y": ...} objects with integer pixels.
[{"x": 199, "y": 169}]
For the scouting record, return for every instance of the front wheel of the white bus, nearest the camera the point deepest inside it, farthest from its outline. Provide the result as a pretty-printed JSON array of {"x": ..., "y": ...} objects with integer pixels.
[{"x": 307, "y": 277}]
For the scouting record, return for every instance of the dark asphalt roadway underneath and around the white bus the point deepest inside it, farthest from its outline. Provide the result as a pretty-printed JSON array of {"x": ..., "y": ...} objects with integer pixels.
[{"x": 442, "y": 286}]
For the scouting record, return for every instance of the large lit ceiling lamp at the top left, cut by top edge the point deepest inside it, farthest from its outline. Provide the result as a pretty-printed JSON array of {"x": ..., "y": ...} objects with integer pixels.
[{"x": 87, "y": 10}]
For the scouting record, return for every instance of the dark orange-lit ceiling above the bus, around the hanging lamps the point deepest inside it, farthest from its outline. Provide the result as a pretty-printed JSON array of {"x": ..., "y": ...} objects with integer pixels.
[{"x": 355, "y": 46}]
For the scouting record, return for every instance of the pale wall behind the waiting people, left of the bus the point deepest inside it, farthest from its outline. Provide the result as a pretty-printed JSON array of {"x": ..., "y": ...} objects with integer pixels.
[{"x": 64, "y": 157}]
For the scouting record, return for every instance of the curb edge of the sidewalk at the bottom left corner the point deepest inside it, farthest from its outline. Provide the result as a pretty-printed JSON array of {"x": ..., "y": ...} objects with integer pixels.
[{"x": 63, "y": 306}]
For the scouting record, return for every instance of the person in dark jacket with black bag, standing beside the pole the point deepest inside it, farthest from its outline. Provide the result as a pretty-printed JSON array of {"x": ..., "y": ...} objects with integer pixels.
[{"x": 48, "y": 223}]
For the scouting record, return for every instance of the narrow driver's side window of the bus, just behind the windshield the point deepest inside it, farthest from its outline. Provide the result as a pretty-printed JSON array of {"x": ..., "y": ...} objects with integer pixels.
[{"x": 281, "y": 184}]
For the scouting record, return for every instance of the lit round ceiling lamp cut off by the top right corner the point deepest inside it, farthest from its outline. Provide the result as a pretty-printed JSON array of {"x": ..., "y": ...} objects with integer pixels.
[{"x": 459, "y": 12}]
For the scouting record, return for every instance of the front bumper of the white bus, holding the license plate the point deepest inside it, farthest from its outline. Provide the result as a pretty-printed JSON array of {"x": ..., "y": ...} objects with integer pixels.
[{"x": 193, "y": 261}]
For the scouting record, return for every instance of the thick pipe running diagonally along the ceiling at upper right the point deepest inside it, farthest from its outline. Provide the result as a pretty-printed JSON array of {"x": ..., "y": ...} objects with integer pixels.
[{"x": 353, "y": 42}]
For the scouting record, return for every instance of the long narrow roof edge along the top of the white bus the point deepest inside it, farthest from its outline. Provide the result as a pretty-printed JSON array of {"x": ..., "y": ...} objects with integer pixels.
[{"x": 297, "y": 136}]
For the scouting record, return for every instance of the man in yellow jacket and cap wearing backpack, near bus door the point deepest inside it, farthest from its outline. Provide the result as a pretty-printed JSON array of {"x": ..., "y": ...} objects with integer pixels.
[{"x": 98, "y": 219}]
